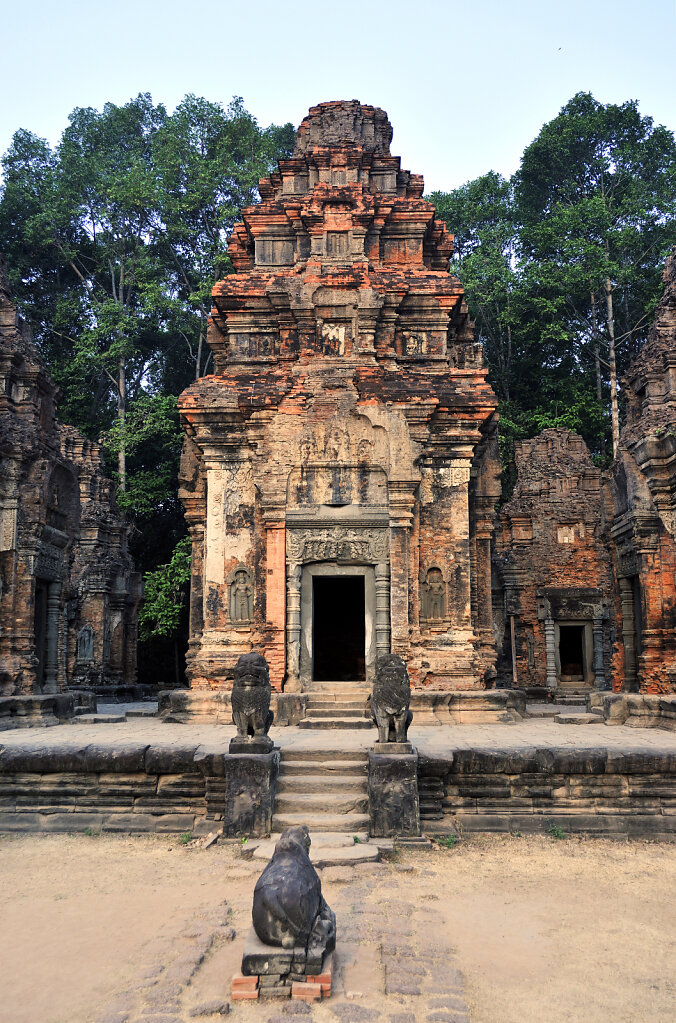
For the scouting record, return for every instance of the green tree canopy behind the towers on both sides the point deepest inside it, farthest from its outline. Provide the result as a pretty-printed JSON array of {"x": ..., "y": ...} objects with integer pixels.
[{"x": 116, "y": 237}]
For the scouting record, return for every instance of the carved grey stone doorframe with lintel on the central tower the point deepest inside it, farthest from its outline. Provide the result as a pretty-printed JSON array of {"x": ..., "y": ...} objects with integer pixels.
[{"x": 335, "y": 551}]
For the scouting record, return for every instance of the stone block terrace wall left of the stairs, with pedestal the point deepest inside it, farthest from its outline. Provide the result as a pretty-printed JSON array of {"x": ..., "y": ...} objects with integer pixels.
[{"x": 136, "y": 787}]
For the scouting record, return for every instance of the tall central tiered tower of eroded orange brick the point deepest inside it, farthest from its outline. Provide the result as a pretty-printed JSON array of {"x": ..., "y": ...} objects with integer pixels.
[{"x": 348, "y": 431}]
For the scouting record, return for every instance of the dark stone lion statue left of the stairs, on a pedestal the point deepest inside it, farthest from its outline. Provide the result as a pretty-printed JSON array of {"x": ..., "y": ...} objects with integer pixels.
[{"x": 251, "y": 705}]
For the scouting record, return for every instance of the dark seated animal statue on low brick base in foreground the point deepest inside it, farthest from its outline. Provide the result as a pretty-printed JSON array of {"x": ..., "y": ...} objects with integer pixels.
[{"x": 289, "y": 907}]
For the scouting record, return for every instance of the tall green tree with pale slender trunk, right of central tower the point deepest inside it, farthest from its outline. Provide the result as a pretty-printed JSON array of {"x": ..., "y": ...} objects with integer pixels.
[{"x": 597, "y": 199}]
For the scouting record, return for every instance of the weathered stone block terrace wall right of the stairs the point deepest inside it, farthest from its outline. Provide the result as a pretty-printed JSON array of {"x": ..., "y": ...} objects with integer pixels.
[{"x": 595, "y": 791}]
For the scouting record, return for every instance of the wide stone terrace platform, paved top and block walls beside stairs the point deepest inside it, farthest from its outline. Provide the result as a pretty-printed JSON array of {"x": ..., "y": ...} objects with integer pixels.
[{"x": 144, "y": 775}]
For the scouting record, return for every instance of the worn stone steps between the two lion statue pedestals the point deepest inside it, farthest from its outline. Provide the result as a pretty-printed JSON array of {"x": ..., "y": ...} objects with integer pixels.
[{"x": 328, "y": 790}]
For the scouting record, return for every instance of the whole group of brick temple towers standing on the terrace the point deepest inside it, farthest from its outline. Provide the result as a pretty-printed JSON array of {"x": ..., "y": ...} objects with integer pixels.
[{"x": 340, "y": 479}]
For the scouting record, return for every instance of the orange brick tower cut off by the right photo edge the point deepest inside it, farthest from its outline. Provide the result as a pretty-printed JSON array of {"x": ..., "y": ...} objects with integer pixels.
[{"x": 645, "y": 503}]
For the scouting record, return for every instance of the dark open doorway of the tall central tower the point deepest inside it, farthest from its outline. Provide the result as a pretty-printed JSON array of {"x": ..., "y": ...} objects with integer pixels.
[{"x": 339, "y": 632}]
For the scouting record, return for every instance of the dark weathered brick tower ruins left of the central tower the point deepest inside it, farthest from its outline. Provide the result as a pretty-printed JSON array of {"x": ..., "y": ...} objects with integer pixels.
[{"x": 69, "y": 594}]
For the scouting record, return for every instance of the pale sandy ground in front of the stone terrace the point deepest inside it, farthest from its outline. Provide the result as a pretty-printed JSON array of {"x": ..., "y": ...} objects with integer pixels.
[{"x": 119, "y": 928}]
